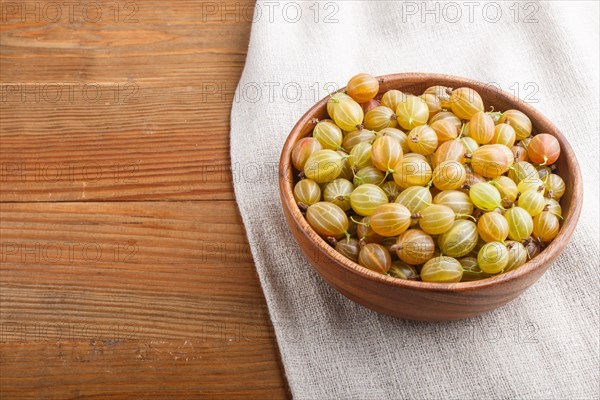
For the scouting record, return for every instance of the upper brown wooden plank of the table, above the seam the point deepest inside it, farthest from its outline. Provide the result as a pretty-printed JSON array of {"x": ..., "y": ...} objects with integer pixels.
[{"x": 117, "y": 109}]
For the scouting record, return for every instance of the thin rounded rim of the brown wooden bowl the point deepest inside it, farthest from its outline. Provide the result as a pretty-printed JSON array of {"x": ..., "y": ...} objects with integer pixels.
[{"x": 546, "y": 256}]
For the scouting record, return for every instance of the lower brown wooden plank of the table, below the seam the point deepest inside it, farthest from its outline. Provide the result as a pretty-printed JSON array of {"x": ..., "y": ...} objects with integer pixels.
[{"x": 132, "y": 299}]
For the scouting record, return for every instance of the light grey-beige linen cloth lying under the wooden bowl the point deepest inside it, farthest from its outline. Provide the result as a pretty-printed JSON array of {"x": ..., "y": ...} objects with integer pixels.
[{"x": 542, "y": 345}]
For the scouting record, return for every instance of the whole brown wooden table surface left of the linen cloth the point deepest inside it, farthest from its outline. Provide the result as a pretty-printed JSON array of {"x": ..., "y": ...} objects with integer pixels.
[{"x": 126, "y": 272}]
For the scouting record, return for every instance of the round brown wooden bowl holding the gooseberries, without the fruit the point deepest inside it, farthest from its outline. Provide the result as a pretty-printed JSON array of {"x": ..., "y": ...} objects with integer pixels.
[{"x": 421, "y": 300}]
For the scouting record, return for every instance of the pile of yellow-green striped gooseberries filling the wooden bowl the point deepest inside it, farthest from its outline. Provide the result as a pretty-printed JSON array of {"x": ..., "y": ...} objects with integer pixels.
[{"x": 431, "y": 187}]
